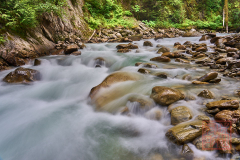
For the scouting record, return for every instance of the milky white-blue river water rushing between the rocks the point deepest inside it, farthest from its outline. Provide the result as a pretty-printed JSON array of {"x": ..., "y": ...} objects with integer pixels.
[{"x": 53, "y": 119}]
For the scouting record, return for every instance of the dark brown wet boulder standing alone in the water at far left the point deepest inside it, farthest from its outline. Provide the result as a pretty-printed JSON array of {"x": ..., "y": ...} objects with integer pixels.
[{"x": 22, "y": 75}]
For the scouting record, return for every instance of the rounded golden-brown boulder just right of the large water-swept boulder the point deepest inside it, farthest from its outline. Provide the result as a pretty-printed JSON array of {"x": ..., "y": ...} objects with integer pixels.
[{"x": 166, "y": 96}]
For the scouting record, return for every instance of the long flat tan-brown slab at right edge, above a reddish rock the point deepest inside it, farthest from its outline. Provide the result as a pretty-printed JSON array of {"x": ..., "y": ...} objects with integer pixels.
[{"x": 223, "y": 104}]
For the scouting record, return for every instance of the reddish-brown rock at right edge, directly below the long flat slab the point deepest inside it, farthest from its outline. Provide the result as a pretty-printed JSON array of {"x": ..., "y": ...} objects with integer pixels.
[{"x": 228, "y": 116}]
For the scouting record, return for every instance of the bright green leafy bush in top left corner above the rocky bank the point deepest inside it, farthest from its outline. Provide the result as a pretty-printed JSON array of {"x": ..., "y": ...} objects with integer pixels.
[{"x": 23, "y": 14}]
